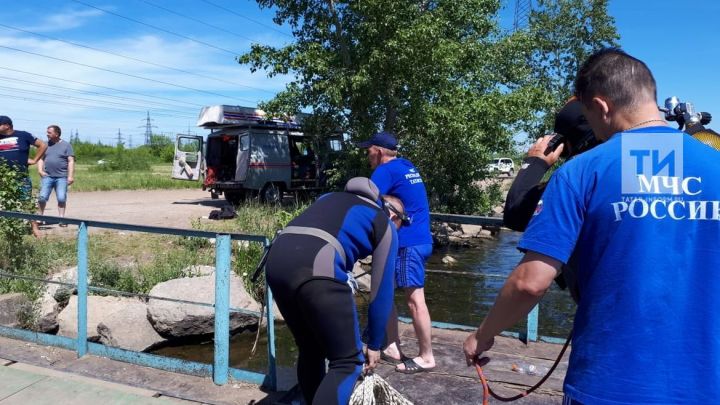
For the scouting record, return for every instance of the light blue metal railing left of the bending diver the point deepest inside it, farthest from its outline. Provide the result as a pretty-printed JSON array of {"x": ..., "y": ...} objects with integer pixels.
[{"x": 220, "y": 370}]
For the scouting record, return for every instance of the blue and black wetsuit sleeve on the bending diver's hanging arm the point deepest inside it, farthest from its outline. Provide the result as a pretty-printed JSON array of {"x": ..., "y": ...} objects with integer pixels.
[{"x": 382, "y": 286}]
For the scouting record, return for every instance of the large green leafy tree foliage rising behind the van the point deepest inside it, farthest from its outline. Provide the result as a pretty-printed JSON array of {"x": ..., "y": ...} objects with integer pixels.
[{"x": 441, "y": 74}]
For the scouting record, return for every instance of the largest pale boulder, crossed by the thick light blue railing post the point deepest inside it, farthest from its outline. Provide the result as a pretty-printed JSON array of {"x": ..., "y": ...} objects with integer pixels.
[{"x": 178, "y": 320}]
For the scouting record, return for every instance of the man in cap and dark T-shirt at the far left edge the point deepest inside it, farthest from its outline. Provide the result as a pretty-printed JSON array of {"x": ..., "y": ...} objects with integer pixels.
[{"x": 15, "y": 151}]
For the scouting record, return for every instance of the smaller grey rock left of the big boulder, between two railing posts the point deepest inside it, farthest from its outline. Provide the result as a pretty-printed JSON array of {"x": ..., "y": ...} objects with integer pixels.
[{"x": 130, "y": 328}]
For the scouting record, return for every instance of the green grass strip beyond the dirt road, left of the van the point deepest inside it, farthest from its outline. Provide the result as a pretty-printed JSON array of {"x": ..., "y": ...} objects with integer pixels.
[{"x": 89, "y": 179}]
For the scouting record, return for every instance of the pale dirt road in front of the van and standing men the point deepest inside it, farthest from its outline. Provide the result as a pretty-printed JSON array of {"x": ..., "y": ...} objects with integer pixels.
[{"x": 171, "y": 208}]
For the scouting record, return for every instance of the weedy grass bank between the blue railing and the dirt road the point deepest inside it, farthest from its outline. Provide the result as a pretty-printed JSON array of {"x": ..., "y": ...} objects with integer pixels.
[{"x": 136, "y": 262}]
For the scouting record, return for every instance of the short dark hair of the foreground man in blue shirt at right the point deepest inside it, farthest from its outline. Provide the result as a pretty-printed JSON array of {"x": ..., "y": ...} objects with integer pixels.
[{"x": 622, "y": 79}]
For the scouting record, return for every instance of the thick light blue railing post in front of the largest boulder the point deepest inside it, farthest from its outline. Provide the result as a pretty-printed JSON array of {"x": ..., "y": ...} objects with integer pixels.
[{"x": 222, "y": 309}]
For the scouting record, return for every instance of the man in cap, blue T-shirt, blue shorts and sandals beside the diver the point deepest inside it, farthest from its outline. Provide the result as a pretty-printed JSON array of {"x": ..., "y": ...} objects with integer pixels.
[{"x": 398, "y": 177}]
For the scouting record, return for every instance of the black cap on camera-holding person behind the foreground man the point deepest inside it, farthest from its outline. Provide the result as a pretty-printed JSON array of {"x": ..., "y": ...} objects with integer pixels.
[{"x": 571, "y": 123}]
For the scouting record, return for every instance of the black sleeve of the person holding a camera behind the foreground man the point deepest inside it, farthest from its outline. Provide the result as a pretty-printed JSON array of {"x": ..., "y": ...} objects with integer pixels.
[{"x": 524, "y": 194}]
